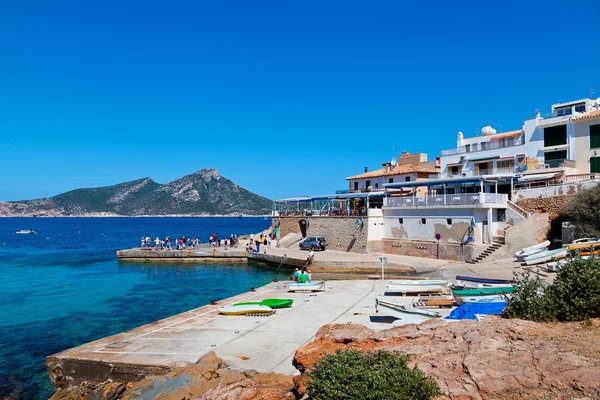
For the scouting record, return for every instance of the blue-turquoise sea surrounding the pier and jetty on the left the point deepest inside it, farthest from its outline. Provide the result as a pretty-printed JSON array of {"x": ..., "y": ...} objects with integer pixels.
[{"x": 63, "y": 286}]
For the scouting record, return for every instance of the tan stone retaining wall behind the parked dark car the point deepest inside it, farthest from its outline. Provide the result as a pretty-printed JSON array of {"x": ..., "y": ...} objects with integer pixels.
[{"x": 341, "y": 233}]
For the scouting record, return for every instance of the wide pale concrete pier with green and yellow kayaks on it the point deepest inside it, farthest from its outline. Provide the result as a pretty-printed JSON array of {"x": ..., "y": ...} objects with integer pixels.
[{"x": 263, "y": 344}]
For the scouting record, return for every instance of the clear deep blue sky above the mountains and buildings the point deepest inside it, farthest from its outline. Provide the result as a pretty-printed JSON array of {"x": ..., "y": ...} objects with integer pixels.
[{"x": 285, "y": 97}]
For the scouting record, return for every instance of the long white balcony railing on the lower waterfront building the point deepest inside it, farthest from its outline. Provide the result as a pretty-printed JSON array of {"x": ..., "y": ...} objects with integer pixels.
[{"x": 448, "y": 200}]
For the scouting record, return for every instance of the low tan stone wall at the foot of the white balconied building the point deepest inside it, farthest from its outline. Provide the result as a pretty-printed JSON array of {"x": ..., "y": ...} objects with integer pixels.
[{"x": 448, "y": 251}]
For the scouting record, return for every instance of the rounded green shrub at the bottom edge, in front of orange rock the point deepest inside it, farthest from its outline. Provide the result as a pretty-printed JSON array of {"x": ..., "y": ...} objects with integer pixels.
[{"x": 373, "y": 375}]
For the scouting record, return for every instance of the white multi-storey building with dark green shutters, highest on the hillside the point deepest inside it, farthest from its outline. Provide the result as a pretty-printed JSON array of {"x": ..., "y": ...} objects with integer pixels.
[{"x": 557, "y": 147}]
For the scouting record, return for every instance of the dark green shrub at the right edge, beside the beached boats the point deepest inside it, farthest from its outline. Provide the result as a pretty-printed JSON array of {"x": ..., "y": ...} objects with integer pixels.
[{"x": 573, "y": 296}]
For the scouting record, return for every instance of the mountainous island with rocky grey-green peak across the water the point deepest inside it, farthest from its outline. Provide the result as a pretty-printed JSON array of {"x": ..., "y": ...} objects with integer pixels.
[{"x": 202, "y": 193}]
